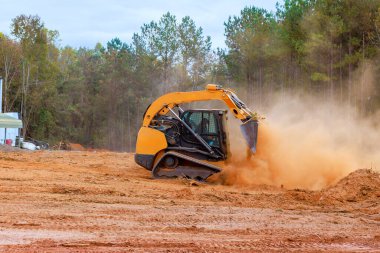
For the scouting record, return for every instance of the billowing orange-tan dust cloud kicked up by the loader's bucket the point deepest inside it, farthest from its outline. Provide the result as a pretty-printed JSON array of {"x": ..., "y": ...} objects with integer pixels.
[{"x": 303, "y": 143}]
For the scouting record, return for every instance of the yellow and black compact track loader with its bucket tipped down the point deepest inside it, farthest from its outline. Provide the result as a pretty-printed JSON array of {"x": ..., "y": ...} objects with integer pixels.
[{"x": 192, "y": 143}]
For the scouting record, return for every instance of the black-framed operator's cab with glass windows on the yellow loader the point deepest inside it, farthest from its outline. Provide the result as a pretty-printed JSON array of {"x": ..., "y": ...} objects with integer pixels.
[{"x": 210, "y": 125}]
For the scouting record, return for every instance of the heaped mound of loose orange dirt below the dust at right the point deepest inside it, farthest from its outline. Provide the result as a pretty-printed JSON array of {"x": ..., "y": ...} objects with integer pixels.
[{"x": 360, "y": 185}]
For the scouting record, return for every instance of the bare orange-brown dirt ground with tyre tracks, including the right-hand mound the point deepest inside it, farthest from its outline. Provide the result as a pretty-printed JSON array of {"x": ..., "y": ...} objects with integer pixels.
[{"x": 56, "y": 201}]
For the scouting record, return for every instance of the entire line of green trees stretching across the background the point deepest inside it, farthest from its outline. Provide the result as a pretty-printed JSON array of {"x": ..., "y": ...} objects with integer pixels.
[{"x": 97, "y": 96}]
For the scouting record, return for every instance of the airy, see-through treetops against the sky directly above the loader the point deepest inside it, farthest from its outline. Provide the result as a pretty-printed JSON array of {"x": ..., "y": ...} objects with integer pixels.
[{"x": 178, "y": 52}]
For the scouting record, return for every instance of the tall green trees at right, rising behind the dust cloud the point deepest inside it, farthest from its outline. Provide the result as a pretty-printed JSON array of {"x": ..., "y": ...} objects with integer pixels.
[{"x": 308, "y": 42}]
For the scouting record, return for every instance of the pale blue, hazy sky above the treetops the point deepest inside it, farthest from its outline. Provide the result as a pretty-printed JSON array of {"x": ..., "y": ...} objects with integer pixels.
[{"x": 83, "y": 23}]
